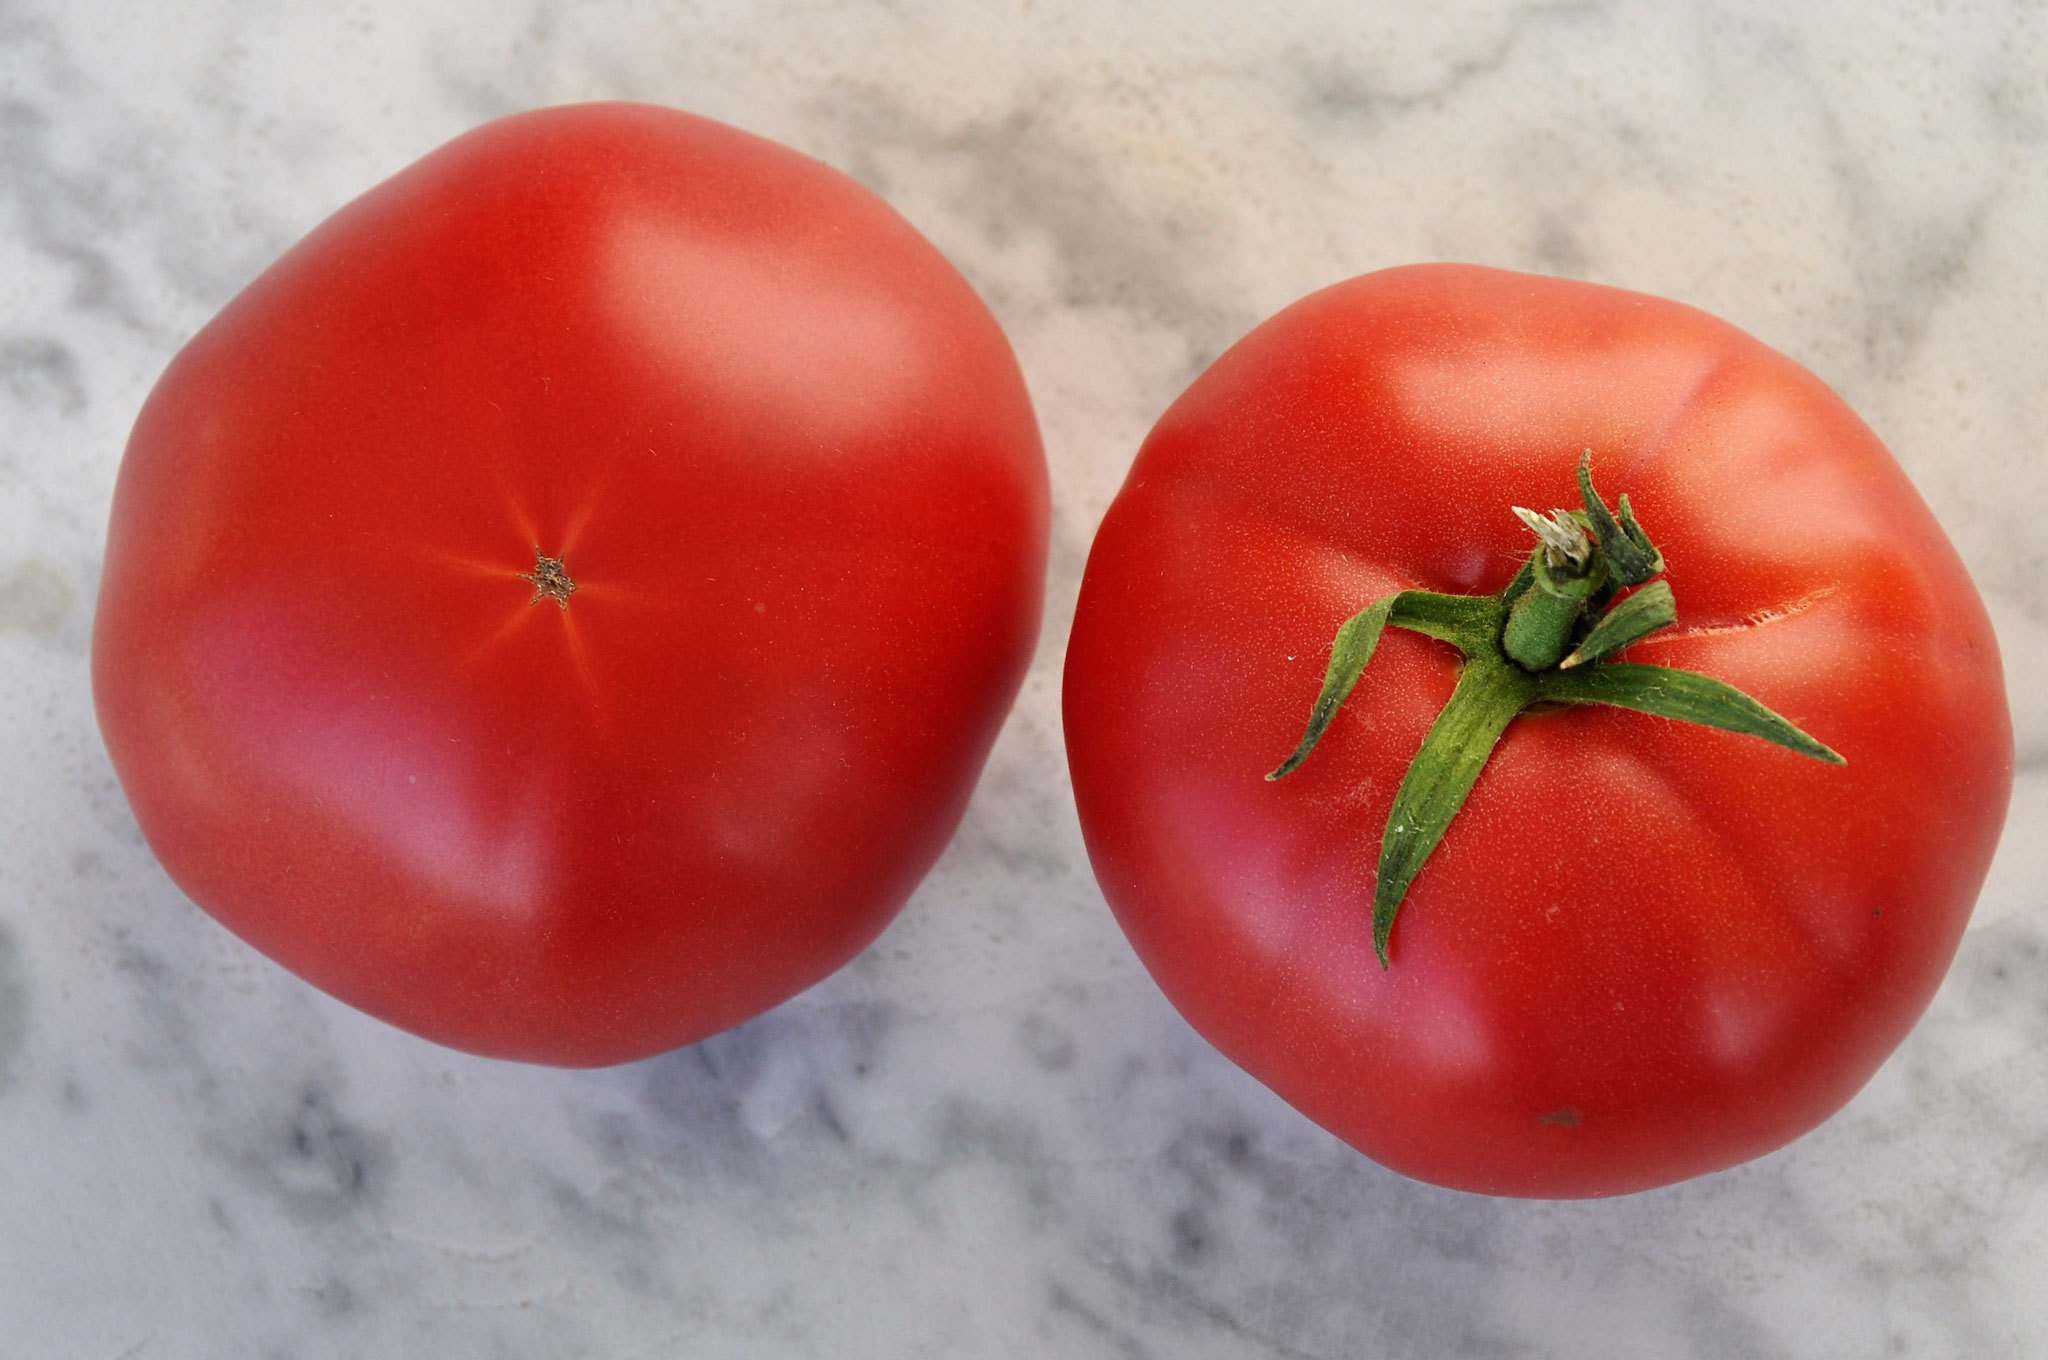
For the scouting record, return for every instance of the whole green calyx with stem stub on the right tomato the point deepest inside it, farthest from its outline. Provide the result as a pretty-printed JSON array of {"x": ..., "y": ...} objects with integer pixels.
[{"x": 1547, "y": 638}]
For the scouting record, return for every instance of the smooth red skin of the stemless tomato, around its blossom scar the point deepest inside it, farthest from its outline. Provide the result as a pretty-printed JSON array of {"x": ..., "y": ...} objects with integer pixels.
[{"x": 792, "y": 466}]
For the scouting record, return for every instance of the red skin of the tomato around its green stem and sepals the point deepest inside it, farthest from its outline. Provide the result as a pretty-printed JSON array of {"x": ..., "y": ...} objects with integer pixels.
[{"x": 1646, "y": 949}]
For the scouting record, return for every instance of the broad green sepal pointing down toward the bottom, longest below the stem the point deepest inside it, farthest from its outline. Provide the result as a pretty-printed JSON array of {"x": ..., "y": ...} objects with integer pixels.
[{"x": 1490, "y": 695}]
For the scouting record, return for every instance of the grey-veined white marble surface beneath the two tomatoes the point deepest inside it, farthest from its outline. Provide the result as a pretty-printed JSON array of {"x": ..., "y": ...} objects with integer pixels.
[{"x": 990, "y": 1136}]
